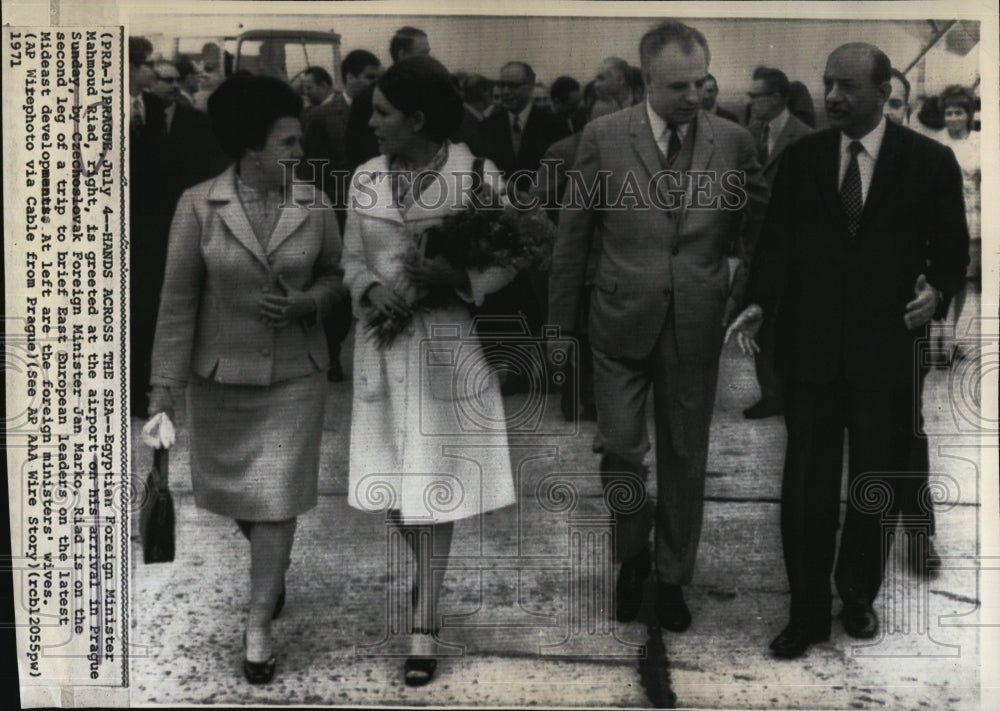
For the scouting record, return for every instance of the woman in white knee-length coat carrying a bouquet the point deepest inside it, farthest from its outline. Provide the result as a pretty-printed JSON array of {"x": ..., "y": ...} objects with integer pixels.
[{"x": 428, "y": 435}]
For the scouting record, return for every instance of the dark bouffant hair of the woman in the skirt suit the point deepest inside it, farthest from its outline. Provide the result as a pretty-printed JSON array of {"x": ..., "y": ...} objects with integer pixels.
[{"x": 244, "y": 109}]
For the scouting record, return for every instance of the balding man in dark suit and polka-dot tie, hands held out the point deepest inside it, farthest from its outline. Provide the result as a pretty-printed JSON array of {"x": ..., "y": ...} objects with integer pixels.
[{"x": 864, "y": 242}]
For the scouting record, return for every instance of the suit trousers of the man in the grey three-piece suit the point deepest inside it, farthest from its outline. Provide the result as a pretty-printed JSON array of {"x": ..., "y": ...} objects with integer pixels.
[{"x": 683, "y": 399}]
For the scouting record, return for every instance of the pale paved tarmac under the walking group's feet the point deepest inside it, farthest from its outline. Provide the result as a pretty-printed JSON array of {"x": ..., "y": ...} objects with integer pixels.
[{"x": 525, "y": 621}]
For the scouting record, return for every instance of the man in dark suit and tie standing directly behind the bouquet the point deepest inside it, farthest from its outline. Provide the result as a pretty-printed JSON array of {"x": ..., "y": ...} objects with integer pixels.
[{"x": 515, "y": 139}]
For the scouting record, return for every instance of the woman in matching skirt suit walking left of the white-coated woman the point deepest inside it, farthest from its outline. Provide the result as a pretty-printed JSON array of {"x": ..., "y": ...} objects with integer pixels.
[{"x": 249, "y": 275}]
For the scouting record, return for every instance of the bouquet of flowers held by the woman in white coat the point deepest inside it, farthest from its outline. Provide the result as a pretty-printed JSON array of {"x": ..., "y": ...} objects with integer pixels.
[{"x": 474, "y": 238}]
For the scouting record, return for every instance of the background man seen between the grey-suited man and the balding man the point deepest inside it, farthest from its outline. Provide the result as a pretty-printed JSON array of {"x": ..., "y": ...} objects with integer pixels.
[{"x": 773, "y": 129}]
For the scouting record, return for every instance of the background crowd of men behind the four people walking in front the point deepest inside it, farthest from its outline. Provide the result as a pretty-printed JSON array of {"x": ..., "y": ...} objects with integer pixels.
[{"x": 515, "y": 121}]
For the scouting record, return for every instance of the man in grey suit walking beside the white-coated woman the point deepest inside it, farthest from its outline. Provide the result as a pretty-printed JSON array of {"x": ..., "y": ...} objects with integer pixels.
[{"x": 671, "y": 188}]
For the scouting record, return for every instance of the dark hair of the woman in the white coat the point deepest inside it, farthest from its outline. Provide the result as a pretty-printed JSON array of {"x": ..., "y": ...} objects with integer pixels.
[{"x": 423, "y": 84}]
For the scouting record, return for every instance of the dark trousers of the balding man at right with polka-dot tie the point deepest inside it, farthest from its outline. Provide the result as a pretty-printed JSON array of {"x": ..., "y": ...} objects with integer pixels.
[{"x": 879, "y": 424}]
